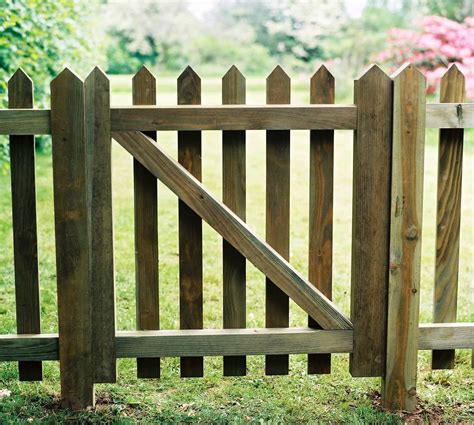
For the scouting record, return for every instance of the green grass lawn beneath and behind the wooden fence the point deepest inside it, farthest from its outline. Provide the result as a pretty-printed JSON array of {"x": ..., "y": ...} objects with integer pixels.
[{"x": 445, "y": 395}]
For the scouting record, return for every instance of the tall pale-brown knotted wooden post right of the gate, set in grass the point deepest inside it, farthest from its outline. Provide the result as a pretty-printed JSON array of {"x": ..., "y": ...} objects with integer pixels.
[{"x": 399, "y": 386}]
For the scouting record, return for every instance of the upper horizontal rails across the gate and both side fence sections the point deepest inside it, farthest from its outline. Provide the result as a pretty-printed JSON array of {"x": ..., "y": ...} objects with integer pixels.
[{"x": 233, "y": 117}]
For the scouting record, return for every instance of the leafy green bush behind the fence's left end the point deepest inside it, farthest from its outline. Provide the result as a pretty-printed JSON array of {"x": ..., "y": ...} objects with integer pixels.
[{"x": 42, "y": 36}]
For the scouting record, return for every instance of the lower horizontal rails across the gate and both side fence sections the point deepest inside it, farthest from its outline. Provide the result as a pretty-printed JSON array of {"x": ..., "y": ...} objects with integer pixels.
[{"x": 216, "y": 342}]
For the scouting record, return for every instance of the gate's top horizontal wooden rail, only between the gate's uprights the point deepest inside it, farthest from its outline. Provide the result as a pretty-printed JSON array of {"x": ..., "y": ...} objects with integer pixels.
[{"x": 235, "y": 117}]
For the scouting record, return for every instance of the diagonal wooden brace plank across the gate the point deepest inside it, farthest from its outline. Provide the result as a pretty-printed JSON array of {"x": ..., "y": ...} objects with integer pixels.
[{"x": 233, "y": 229}]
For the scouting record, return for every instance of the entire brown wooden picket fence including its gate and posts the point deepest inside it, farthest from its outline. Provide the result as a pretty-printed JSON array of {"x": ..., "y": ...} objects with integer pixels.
[{"x": 383, "y": 335}]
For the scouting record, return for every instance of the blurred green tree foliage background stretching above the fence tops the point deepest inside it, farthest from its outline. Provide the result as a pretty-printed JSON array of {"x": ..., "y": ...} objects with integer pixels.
[{"x": 42, "y": 36}]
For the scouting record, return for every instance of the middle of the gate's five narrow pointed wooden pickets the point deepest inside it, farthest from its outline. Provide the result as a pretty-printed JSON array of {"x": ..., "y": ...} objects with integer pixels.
[{"x": 233, "y": 194}]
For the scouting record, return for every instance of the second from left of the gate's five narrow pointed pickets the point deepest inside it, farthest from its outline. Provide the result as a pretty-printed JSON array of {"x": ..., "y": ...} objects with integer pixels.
[{"x": 190, "y": 227}]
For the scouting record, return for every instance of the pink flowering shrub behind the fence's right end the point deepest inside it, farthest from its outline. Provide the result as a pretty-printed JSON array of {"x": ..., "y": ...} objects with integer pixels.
[{"x": 439, "y": 43}]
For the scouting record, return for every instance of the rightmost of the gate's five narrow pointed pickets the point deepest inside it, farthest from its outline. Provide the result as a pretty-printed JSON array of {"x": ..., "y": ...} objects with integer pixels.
[{"x": 321, "y": 173}]
